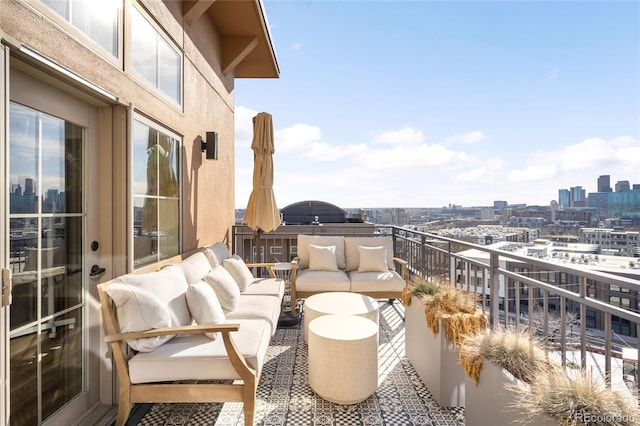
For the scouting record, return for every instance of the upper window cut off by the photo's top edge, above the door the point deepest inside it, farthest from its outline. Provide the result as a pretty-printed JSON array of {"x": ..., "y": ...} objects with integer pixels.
[{"x": 97, "y": 19}]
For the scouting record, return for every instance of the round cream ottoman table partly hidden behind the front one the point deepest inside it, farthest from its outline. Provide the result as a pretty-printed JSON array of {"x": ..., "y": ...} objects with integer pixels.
[{"x": 338, "y": 303}]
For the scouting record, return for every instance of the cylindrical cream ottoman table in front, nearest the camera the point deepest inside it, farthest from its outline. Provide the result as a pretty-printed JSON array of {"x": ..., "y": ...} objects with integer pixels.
[{"x": 343, "y": 358}]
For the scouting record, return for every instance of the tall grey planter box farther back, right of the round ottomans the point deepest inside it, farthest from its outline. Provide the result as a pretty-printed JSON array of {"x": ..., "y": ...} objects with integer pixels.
[{"x": 434, "y": 358}]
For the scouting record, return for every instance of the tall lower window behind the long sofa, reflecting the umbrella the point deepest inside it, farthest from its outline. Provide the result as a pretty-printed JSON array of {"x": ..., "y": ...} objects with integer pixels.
[{"x": 156, "y": 193}]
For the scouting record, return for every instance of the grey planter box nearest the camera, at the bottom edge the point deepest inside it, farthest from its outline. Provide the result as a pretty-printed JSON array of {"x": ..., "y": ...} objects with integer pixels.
[{"x": 490, "y": 403}]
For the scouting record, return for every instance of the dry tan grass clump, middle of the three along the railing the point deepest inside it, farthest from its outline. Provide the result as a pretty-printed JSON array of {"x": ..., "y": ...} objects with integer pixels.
[{"x": 514, "y": 350}]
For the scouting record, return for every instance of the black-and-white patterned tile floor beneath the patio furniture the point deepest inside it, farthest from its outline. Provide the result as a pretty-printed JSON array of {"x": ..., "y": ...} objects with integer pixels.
[{"x": 285, "y": 398}]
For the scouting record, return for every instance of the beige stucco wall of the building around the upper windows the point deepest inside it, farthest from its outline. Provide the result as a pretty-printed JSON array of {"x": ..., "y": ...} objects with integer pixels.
[{"x": 208, "y": 185}]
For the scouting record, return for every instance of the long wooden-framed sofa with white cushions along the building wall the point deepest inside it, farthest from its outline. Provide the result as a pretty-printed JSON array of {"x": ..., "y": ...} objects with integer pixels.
[{"x": 196, "y": 330}]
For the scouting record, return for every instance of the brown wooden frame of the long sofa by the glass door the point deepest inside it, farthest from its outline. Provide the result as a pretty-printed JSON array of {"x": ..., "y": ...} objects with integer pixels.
[{"x": 188, "y": 391}]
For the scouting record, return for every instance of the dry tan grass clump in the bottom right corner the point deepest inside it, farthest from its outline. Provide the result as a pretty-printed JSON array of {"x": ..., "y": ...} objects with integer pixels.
[{"x": 577, "y": 398}]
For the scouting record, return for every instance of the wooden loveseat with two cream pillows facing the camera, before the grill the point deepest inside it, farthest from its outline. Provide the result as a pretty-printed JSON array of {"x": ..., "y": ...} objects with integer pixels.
[{"x": 364, "y": 265}]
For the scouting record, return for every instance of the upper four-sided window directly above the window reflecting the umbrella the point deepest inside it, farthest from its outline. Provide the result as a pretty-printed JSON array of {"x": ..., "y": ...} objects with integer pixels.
[{"x": 155, "y": 59}]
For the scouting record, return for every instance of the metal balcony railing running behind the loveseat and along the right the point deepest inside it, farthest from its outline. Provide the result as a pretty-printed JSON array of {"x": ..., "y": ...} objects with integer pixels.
[{"x": 550, "y": 298}]
